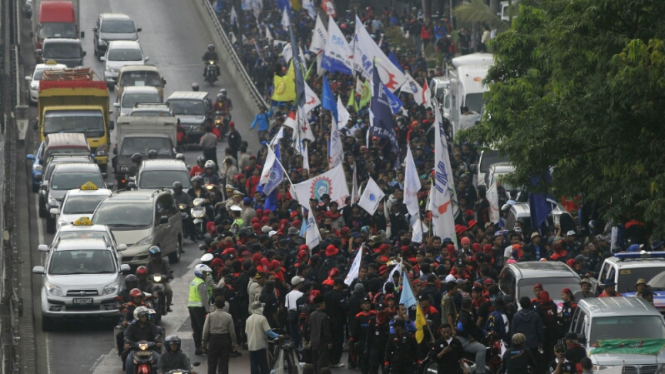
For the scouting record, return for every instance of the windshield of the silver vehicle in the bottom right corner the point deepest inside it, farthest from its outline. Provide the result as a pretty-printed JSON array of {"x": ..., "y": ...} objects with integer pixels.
[{"x": 626, "y": 327}]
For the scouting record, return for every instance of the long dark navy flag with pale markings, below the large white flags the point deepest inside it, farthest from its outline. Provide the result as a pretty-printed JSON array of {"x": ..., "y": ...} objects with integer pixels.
[{"x": 383, "y": 123}]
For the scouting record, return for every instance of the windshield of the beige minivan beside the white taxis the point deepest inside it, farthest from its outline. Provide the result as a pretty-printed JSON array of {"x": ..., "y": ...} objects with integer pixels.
[{"x": 123, "y": 215}]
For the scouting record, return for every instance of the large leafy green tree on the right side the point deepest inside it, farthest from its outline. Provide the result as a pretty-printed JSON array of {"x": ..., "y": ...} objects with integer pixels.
[{"x": 579, "y": 87}]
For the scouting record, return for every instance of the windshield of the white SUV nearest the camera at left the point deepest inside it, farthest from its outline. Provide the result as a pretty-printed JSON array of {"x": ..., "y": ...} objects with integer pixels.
[{"x": 81, "y": 262}]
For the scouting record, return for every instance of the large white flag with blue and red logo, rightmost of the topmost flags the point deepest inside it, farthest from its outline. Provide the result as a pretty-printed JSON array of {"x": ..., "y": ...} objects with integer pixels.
[{"x": 367, "y": 53}]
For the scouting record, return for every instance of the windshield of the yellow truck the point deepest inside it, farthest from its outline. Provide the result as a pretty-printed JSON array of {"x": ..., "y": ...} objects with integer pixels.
[{"x": 88, "y": 122}]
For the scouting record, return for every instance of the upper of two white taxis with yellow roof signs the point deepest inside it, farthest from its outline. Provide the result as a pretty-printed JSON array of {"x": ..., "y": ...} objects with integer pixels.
[{"x": 81, "y": 203}]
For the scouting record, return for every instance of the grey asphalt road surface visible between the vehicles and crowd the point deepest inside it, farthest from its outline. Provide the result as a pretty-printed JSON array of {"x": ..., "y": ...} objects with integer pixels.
[{"x": 175, "y": 39}]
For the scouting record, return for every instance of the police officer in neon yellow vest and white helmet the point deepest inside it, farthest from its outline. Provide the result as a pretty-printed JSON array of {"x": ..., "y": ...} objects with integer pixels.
[{"x": 199, "y": 303}]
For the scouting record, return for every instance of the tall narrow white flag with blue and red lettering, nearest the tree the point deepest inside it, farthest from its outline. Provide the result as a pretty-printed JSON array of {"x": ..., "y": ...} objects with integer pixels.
[{"x": 443, "y": 199}]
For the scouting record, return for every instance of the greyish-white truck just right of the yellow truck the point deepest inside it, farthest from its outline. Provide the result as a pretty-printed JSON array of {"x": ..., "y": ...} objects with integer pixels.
[{"x": 141, "y": 135}]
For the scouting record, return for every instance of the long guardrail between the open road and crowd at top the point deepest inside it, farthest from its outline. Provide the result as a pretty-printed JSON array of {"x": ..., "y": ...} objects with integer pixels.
[{"x": 229, "y": 56}]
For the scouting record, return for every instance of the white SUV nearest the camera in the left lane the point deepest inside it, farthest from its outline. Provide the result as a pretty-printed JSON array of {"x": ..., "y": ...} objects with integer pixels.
[{"x": 81, "y": 278}]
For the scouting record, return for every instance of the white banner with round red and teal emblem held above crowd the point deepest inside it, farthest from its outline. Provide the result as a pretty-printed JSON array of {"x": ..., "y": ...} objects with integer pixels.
[{"x": 331, "y": 182}]
